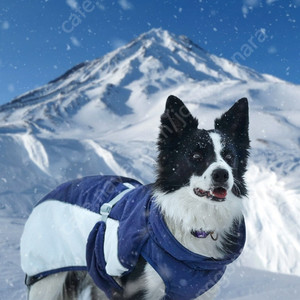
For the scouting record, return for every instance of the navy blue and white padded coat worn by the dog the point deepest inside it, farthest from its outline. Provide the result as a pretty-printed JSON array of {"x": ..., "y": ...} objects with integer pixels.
[{"x": 66, "y": 232}]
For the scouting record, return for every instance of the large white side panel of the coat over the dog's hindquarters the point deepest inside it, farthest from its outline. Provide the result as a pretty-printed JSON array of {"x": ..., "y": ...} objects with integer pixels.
[{"x": 55, "y": 236}]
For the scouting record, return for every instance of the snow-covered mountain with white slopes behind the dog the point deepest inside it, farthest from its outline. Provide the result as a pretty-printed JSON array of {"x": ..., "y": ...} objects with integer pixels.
[{"x": 102, "y": 117}]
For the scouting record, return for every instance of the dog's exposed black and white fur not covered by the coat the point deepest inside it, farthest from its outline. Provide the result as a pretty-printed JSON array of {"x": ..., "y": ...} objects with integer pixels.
[{"x": 200, "y": 185}]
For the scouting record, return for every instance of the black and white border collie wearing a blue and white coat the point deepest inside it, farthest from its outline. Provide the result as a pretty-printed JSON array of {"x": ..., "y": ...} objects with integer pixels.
[{"x": 109, "y": 237}]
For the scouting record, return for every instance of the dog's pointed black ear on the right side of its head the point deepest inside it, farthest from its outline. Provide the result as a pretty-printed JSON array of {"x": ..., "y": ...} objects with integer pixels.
[{"x": 235, "y": 122}]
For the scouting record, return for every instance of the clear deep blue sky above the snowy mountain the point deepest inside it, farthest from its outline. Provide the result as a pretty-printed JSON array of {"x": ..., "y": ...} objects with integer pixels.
[{"x": 41, "y": 39}]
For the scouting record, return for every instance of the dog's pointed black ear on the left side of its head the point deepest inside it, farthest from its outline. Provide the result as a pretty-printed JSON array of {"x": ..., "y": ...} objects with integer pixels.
[{"x": 176, "y": 119}]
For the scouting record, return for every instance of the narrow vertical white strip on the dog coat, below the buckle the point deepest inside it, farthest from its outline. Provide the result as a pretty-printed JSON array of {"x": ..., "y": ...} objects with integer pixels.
[{"x": 113, "y": 266}]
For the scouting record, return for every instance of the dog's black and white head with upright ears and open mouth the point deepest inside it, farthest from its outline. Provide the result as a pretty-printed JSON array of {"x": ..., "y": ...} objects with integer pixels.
[{"x": 209, "y": 163}]
